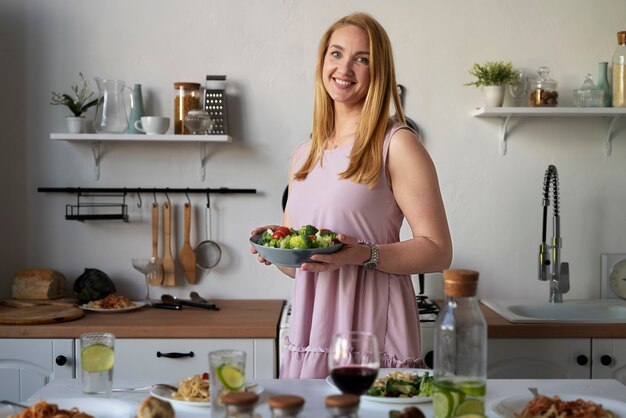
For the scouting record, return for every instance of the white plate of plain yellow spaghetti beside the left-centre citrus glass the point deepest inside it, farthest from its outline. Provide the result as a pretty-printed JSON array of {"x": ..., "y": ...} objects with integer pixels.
[{"x": 193, "y": 391}]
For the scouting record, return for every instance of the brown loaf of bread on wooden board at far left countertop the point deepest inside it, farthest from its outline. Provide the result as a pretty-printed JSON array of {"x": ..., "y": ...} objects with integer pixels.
[{"x": 40, "y": 284}]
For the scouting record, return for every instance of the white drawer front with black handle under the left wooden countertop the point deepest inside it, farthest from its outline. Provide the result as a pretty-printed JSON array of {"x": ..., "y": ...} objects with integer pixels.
[{"x": 169, "y": 360}]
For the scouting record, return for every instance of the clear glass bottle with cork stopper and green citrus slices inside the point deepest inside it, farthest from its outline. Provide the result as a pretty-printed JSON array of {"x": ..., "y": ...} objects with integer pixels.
[{"x": 460, "y": 373}]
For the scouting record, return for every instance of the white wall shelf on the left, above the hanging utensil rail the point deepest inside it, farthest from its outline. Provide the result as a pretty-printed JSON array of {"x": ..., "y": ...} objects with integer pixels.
[{"x": 95, "y": 140}]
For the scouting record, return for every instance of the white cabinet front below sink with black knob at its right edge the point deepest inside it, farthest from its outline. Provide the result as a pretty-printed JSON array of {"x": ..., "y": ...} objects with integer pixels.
[{"x": 540, "y": 358}]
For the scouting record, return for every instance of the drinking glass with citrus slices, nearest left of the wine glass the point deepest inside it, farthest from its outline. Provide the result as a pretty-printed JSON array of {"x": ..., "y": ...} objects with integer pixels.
[{"x": 227, "y": 374}]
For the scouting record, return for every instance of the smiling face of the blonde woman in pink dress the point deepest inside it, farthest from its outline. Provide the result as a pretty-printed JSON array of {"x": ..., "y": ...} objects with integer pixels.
[{"x": 346, "y": 71}]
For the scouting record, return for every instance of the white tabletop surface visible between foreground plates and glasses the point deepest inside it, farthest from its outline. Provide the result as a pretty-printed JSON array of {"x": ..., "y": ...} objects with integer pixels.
[{"x": 314, "y": 392}]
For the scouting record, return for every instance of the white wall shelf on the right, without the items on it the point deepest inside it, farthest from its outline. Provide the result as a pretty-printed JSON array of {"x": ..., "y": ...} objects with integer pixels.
[{"x": 506, "y": 113}]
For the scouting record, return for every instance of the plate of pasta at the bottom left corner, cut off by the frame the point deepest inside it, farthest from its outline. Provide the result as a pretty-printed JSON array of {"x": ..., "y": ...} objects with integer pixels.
[{"x": 96, "y": 407}]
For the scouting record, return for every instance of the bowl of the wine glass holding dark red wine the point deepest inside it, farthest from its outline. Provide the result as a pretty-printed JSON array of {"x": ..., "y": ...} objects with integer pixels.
[{"x": 353, "y": 361}]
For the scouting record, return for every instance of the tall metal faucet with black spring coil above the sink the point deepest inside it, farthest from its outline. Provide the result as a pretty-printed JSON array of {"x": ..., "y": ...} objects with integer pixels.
[{"x": 550, "y": 265}]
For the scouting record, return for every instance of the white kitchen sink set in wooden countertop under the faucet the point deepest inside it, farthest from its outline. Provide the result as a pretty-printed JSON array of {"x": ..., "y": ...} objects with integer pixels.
[{"x": 534, "y": 311}]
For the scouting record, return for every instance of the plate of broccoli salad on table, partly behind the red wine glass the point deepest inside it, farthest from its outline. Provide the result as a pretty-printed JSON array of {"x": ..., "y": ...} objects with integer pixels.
[{"x": 399, "y": 386}]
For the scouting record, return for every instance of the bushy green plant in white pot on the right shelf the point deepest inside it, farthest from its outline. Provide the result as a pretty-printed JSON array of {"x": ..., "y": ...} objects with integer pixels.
[{"x": 493, "y": 76}]
